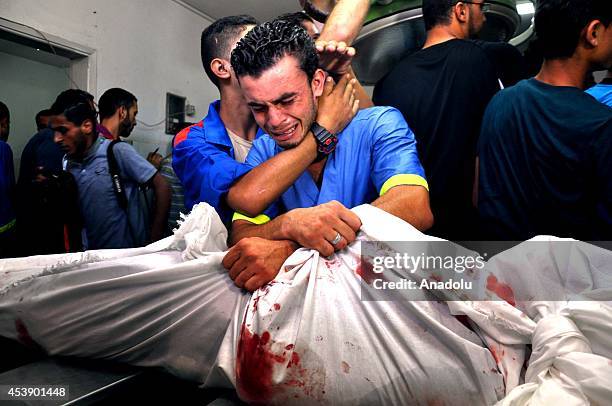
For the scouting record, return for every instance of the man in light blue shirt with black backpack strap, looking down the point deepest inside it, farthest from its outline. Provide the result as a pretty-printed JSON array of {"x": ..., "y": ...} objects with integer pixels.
[{"x": 109, "y": 176}]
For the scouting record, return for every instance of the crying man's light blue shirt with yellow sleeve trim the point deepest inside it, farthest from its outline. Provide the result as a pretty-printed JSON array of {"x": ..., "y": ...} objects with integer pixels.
[{"x": 375, "y": 152}]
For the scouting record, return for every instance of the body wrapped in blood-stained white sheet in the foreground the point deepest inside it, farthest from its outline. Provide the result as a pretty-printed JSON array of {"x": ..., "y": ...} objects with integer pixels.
[{"x": 308, "y": 337}]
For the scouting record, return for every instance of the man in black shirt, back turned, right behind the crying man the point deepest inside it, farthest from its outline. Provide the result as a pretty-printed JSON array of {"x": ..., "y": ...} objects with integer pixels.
[{"x": 442, "y": 91}]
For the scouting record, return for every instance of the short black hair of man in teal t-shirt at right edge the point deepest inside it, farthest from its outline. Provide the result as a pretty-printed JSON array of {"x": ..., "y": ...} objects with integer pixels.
[{"x": 559, "y": 24}]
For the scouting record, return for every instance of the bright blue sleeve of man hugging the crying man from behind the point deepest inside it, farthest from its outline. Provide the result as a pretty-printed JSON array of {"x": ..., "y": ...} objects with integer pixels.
[{"x": 205, "y": 170}]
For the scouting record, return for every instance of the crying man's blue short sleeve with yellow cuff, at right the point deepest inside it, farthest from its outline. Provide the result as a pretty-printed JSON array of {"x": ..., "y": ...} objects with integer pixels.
[{"x": 395, "y": 159}]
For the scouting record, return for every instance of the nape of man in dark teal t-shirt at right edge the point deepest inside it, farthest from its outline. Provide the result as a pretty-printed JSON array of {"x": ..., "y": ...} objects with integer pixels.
[{"x": 570, "y": 72}]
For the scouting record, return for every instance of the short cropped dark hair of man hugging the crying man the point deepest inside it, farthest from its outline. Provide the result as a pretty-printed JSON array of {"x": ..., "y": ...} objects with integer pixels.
[{"x": 219, "y": 38}]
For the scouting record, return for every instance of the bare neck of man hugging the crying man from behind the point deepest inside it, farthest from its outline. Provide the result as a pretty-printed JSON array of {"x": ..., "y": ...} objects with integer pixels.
[{"x": 236, "y": 115}]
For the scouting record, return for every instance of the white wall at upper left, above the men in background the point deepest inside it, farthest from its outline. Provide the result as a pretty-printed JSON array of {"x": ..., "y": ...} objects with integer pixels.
[{"x": 148, "y": 47}]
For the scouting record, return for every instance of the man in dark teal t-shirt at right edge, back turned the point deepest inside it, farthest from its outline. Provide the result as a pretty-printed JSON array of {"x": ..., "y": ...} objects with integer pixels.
[{"x": 545, "y": 150}]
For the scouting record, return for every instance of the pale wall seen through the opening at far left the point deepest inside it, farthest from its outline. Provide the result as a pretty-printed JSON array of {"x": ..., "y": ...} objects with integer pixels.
[{"x": 26, "y": 88}]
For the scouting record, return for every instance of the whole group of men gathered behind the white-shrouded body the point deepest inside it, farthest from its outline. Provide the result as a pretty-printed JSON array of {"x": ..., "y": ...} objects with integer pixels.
[{"x": 455, "y": 141}]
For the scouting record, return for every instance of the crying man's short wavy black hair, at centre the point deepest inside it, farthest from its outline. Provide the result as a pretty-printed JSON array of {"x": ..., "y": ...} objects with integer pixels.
[{"x": 266, "y": 44}]
